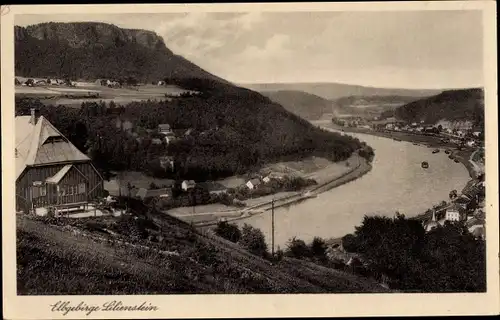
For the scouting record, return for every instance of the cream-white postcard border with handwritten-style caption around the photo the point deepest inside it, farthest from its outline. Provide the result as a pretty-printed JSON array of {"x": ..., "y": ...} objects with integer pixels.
[{"x": 306, "y": 305}]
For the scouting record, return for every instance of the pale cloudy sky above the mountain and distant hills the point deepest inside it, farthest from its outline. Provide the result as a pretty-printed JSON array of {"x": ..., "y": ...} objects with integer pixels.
[{"x": 406, "y": 49}]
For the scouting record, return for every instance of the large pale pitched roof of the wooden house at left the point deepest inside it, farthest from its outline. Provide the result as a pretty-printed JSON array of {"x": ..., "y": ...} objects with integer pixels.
[{"x": 42, "y": 143}]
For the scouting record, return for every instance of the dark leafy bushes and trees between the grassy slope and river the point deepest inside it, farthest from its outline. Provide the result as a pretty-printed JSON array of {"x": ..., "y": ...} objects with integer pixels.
[{"x": 397, "y": 252}]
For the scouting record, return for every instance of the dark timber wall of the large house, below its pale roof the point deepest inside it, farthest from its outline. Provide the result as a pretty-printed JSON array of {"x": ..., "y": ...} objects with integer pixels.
[{"x": 93, "y": 185}]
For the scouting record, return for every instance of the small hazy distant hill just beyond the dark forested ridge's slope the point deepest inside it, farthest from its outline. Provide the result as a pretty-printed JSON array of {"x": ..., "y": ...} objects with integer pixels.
[{"x": 303, "y": 104}]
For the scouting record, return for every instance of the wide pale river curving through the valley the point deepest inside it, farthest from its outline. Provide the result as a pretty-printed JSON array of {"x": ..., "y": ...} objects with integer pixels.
[{"x": 397, "y": 182}]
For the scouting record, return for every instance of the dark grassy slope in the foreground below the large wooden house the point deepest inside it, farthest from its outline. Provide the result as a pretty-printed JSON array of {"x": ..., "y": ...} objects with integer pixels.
[{"x": 156, "y": 255}]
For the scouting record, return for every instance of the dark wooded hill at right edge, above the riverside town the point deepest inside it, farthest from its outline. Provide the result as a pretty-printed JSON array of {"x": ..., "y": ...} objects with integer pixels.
[{"x": 451, "y": 105}]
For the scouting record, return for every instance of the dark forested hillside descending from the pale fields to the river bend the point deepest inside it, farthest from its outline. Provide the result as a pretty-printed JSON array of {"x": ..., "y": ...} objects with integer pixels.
[{"x": 233, "y": 130}]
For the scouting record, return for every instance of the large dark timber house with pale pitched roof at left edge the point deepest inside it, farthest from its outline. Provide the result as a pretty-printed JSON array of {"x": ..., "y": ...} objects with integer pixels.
[{"x": 50, "y": 170}]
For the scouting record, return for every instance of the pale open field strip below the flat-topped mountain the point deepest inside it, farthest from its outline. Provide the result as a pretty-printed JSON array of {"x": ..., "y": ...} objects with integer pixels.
[{"x": 74, "y": 96}]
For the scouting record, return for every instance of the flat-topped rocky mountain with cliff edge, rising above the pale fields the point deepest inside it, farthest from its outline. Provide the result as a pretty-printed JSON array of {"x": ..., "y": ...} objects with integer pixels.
[{"x": 91, "y": 50}]
